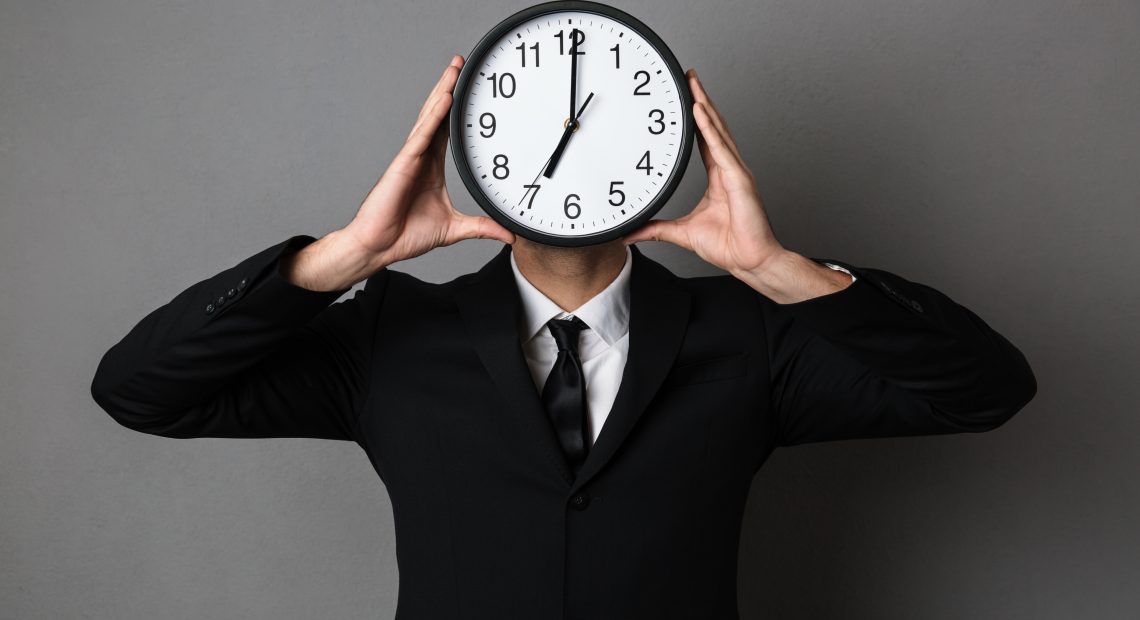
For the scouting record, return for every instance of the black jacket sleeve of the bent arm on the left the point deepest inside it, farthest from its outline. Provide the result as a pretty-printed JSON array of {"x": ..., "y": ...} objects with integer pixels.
[{"x": 274, "y": 360}]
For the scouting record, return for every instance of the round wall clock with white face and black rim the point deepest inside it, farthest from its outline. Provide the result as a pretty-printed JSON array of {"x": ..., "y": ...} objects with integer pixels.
[{"x": 572, "y": 124}]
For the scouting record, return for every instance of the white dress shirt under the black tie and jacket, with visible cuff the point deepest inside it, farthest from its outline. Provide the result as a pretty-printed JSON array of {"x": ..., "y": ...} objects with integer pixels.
[{"x": 602, "y": 349}]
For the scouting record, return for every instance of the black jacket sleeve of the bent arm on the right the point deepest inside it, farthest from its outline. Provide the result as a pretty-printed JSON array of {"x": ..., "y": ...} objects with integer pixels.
[{"x": 887, "y": 357}]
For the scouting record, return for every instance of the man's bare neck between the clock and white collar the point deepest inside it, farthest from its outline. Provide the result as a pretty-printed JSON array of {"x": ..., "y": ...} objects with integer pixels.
[{"x": 569, "y": 276}]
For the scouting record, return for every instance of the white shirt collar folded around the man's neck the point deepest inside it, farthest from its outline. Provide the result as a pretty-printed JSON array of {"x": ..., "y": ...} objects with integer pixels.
[{"x": 607, "y": 313}]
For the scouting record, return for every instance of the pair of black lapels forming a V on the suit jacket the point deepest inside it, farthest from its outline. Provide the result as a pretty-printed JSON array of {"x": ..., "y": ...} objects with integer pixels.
[{"x": 658, "y": 316}]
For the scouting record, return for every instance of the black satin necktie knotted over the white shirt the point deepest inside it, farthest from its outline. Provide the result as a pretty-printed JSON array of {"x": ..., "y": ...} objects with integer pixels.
[{"x": 565, "y": 393}]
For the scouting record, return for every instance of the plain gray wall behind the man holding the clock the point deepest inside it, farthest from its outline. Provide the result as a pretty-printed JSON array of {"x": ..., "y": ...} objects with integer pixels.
[{"x": 987, "y": 149}]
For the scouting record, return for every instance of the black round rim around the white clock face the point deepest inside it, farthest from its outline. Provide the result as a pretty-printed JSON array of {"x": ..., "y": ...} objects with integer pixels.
[{"x": 476, "y": 59}]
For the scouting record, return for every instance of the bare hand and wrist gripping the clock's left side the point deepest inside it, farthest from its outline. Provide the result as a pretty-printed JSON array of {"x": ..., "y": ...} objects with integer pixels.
[{"x": 408, "y": 214}]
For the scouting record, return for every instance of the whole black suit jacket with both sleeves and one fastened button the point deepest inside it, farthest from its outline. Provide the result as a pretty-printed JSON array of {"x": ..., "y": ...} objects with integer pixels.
[{"x": 431, "y": 382}]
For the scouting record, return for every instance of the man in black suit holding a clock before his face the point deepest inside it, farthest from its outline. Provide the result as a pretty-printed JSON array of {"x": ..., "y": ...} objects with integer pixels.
[{"x": 508, "y": 502}]
